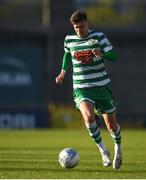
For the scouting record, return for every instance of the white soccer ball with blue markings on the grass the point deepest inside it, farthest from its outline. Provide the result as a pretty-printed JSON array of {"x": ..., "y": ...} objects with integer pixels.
[{"x": 68, "y": 158}]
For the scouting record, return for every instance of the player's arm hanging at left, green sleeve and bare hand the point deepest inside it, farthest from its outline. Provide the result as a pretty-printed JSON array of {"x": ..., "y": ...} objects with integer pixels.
[{"x": 65, "y": 65}]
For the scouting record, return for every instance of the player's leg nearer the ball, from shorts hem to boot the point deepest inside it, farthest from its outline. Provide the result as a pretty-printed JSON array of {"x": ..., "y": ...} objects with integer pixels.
[{"x": 87, "y": 111}]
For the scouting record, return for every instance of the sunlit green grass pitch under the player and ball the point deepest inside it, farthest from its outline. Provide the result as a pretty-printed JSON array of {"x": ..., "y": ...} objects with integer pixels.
[{"x": 33, "y": 154}]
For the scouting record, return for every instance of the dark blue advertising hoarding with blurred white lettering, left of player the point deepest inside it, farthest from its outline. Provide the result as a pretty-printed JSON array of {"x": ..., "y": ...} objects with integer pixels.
[{"x": 22, "y": 86}]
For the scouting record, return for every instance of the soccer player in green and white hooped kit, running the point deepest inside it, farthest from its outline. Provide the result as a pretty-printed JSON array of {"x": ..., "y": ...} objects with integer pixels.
[{"x": 87, "y": 50}]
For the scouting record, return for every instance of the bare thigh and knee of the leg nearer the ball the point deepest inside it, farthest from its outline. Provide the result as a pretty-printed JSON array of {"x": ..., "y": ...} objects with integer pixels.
[{"x": 87, "y": 111}]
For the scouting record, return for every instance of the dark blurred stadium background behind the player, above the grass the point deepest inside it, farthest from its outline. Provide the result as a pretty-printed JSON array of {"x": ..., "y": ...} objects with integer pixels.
[{"x": 31, "y": 49}]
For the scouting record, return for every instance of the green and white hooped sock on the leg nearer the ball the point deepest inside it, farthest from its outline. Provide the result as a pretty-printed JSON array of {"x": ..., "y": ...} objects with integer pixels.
[{"x": 94, "y": 132}]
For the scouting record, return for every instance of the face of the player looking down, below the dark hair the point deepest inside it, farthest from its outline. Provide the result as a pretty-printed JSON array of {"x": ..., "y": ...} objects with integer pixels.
[{"x": 81, "y": 28}]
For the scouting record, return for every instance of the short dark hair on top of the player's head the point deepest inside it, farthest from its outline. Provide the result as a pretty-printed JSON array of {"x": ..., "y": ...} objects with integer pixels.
[{"x": 78, "y": 16}]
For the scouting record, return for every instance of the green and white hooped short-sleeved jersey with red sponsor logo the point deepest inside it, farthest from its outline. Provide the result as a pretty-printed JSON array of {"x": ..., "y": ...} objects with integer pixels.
[{"x": 88, "y": 70}]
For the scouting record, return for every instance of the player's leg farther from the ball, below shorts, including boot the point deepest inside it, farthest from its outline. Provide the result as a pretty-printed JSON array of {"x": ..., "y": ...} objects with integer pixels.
[{"x": 115, "y": 132}]
